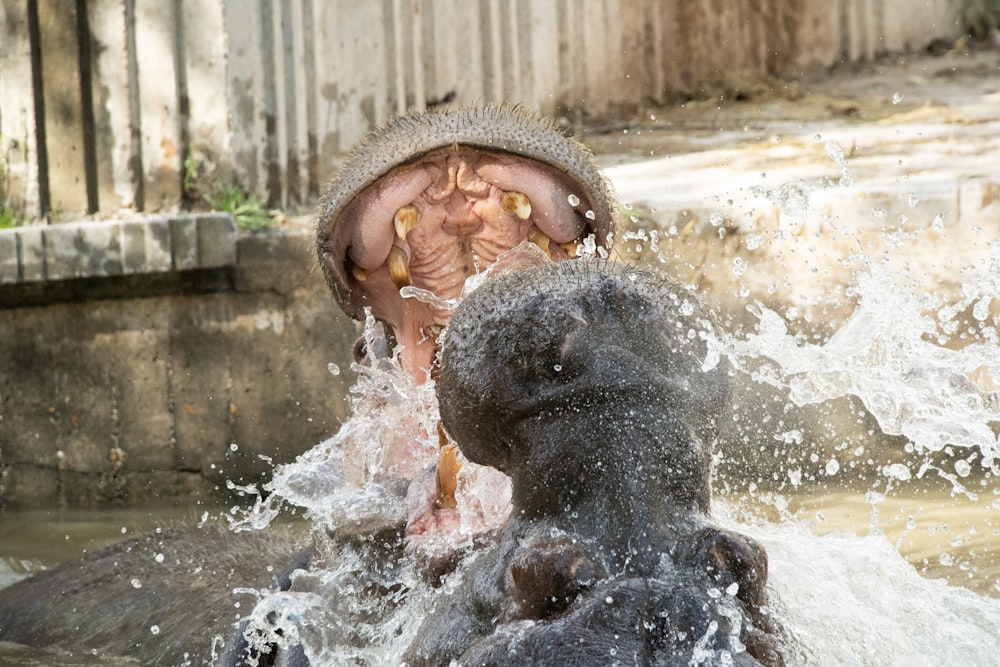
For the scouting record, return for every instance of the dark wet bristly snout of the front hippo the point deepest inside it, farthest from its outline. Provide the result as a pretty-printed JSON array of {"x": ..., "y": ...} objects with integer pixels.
[{"x": 591, "y": 361}]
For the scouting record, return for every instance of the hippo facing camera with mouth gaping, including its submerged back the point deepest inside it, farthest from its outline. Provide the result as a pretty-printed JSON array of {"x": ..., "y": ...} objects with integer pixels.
[{"x": 422, "y": 203}]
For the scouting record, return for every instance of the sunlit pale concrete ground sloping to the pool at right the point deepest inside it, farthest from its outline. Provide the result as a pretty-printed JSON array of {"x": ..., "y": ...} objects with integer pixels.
[{"x": 772, "y": 197}]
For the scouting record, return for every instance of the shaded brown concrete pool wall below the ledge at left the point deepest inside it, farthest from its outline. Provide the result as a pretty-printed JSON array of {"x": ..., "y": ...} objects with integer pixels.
[{"x": 133, "y": 388}]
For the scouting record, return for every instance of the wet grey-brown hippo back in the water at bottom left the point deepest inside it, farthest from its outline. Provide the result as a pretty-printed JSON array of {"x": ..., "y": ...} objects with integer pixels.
[{"x": 160, "y": 598}]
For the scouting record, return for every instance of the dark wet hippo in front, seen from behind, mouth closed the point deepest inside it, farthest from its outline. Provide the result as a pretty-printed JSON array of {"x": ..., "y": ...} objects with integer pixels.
[{"x": 587, "y": 383}]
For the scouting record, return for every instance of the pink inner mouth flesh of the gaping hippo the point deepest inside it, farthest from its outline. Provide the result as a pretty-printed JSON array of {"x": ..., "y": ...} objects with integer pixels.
[{"x": 461, "y": 228}]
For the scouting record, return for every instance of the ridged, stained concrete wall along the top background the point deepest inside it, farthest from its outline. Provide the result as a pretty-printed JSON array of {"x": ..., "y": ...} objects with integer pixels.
[{"x": 99, "y": 112}]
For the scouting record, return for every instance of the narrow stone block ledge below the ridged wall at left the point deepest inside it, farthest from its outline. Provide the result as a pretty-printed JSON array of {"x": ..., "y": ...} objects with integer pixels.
[{"x": 117, "y": 248}]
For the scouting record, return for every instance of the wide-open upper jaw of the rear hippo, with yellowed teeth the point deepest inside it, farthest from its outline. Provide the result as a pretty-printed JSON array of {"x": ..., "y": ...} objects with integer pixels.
[{"x": 433, "y": 198}]
